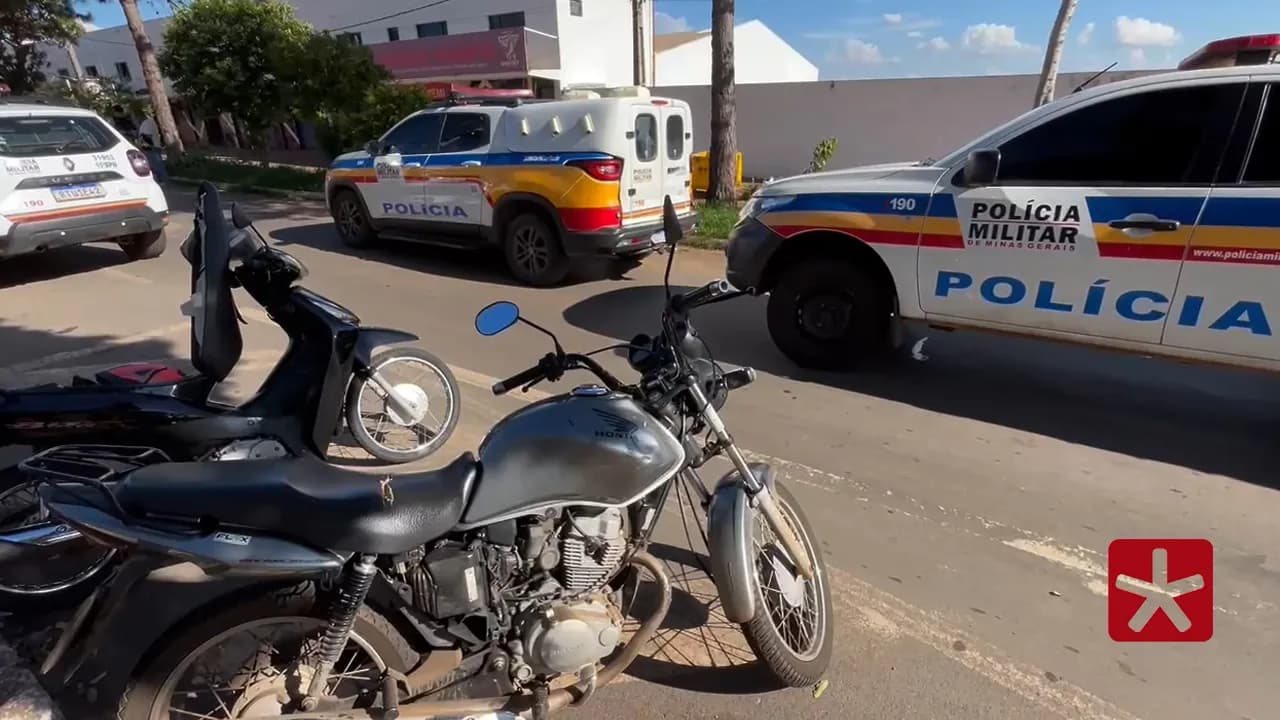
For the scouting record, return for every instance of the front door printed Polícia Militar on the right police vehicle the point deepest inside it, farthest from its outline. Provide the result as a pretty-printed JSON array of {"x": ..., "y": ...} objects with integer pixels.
[{"x": 1085, "y": 227}]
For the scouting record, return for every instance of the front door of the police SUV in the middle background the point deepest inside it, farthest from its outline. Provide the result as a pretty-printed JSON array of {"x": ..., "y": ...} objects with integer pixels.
[{"x": 396, "y": 198}]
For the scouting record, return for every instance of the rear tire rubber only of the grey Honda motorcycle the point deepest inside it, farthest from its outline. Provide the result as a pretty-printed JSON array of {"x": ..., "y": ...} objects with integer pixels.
[{"x": 141, "y": 699}]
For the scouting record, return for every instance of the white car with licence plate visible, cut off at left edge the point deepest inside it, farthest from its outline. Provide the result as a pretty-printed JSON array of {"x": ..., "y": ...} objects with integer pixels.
[{"x": 67, "y": 177}]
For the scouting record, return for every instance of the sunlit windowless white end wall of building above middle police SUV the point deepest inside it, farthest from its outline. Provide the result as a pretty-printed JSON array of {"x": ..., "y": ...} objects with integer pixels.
[{"x": 598, "y": 47}]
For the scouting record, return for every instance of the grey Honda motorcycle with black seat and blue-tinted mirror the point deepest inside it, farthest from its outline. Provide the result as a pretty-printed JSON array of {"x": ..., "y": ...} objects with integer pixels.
[{"x": 492, "y": 586}]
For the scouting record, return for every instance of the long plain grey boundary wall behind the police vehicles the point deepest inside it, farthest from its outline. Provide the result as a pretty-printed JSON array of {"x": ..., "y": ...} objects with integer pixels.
[{"x": 876, "y": 121}]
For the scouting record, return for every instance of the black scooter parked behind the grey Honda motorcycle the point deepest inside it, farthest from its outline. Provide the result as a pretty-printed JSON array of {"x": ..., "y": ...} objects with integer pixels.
[{"x": 332, "y": 370}]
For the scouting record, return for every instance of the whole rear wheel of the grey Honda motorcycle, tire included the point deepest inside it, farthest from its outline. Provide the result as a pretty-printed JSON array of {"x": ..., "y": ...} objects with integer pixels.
[{"x": 253, "y": 660}]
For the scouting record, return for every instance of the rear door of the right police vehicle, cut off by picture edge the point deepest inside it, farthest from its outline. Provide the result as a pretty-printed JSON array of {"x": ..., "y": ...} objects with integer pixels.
[{"x": 1228, "y": 298}]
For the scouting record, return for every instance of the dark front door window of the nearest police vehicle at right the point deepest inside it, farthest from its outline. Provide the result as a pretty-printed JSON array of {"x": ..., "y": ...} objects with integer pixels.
[{"x": 1162, "y": 138}]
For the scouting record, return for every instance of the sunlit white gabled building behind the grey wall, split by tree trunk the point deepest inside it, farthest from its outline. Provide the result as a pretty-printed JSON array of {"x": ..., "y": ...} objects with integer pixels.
[{"x": 760, "y": 56}]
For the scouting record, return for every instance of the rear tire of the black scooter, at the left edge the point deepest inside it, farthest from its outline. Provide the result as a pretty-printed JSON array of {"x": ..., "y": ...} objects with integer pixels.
[{"x": 54, "y": 596}]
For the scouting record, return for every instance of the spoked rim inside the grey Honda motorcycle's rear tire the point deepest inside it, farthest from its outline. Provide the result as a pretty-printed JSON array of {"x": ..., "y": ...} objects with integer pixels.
[{"x": 264, "y": 669}]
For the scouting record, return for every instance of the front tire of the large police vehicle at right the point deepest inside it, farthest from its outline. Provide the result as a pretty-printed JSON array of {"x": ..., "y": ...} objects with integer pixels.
[{"x": 829, "y": 315}]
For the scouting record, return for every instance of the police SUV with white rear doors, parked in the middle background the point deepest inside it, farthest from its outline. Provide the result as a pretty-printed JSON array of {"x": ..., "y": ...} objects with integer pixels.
[{"x": 548, "y": 183}]
